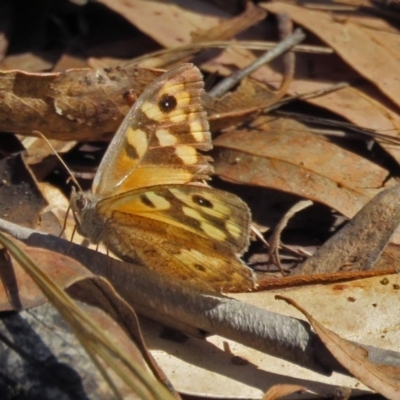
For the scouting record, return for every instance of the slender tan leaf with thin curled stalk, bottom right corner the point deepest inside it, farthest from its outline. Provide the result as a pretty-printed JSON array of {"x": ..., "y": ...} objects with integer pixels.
[{"x": 385, "y": 379}]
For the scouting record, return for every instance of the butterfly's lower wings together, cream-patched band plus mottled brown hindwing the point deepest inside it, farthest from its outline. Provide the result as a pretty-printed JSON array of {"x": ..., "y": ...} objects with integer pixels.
[{"x": 193, "y": 232}]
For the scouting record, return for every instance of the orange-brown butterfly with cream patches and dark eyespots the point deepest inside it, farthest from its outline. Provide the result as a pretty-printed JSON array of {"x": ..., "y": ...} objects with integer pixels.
[{"x": 149, "y": 200}]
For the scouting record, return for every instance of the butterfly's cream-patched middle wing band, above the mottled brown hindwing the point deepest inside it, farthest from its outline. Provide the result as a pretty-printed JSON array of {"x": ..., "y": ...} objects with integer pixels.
[{"x": 199, "y": 210}]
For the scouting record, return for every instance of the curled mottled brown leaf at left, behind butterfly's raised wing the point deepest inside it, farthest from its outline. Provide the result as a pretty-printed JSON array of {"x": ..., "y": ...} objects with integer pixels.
[{"x": 78, "y": 104}]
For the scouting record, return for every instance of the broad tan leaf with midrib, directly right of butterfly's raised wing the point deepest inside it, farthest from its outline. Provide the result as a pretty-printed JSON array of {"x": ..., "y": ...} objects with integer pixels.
[{"x": 282, "y": 154}]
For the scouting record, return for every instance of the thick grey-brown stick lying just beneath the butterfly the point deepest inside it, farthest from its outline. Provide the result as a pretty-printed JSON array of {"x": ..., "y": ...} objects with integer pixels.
[{"x": 163, "y": 299}]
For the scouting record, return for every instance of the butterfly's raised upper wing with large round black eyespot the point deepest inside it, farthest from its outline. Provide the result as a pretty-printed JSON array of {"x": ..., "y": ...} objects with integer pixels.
[{"x": 158, "y": 140}]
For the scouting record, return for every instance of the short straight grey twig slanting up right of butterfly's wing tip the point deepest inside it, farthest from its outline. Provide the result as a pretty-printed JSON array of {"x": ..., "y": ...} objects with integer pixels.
[{"x": 285, "y": 45}]
